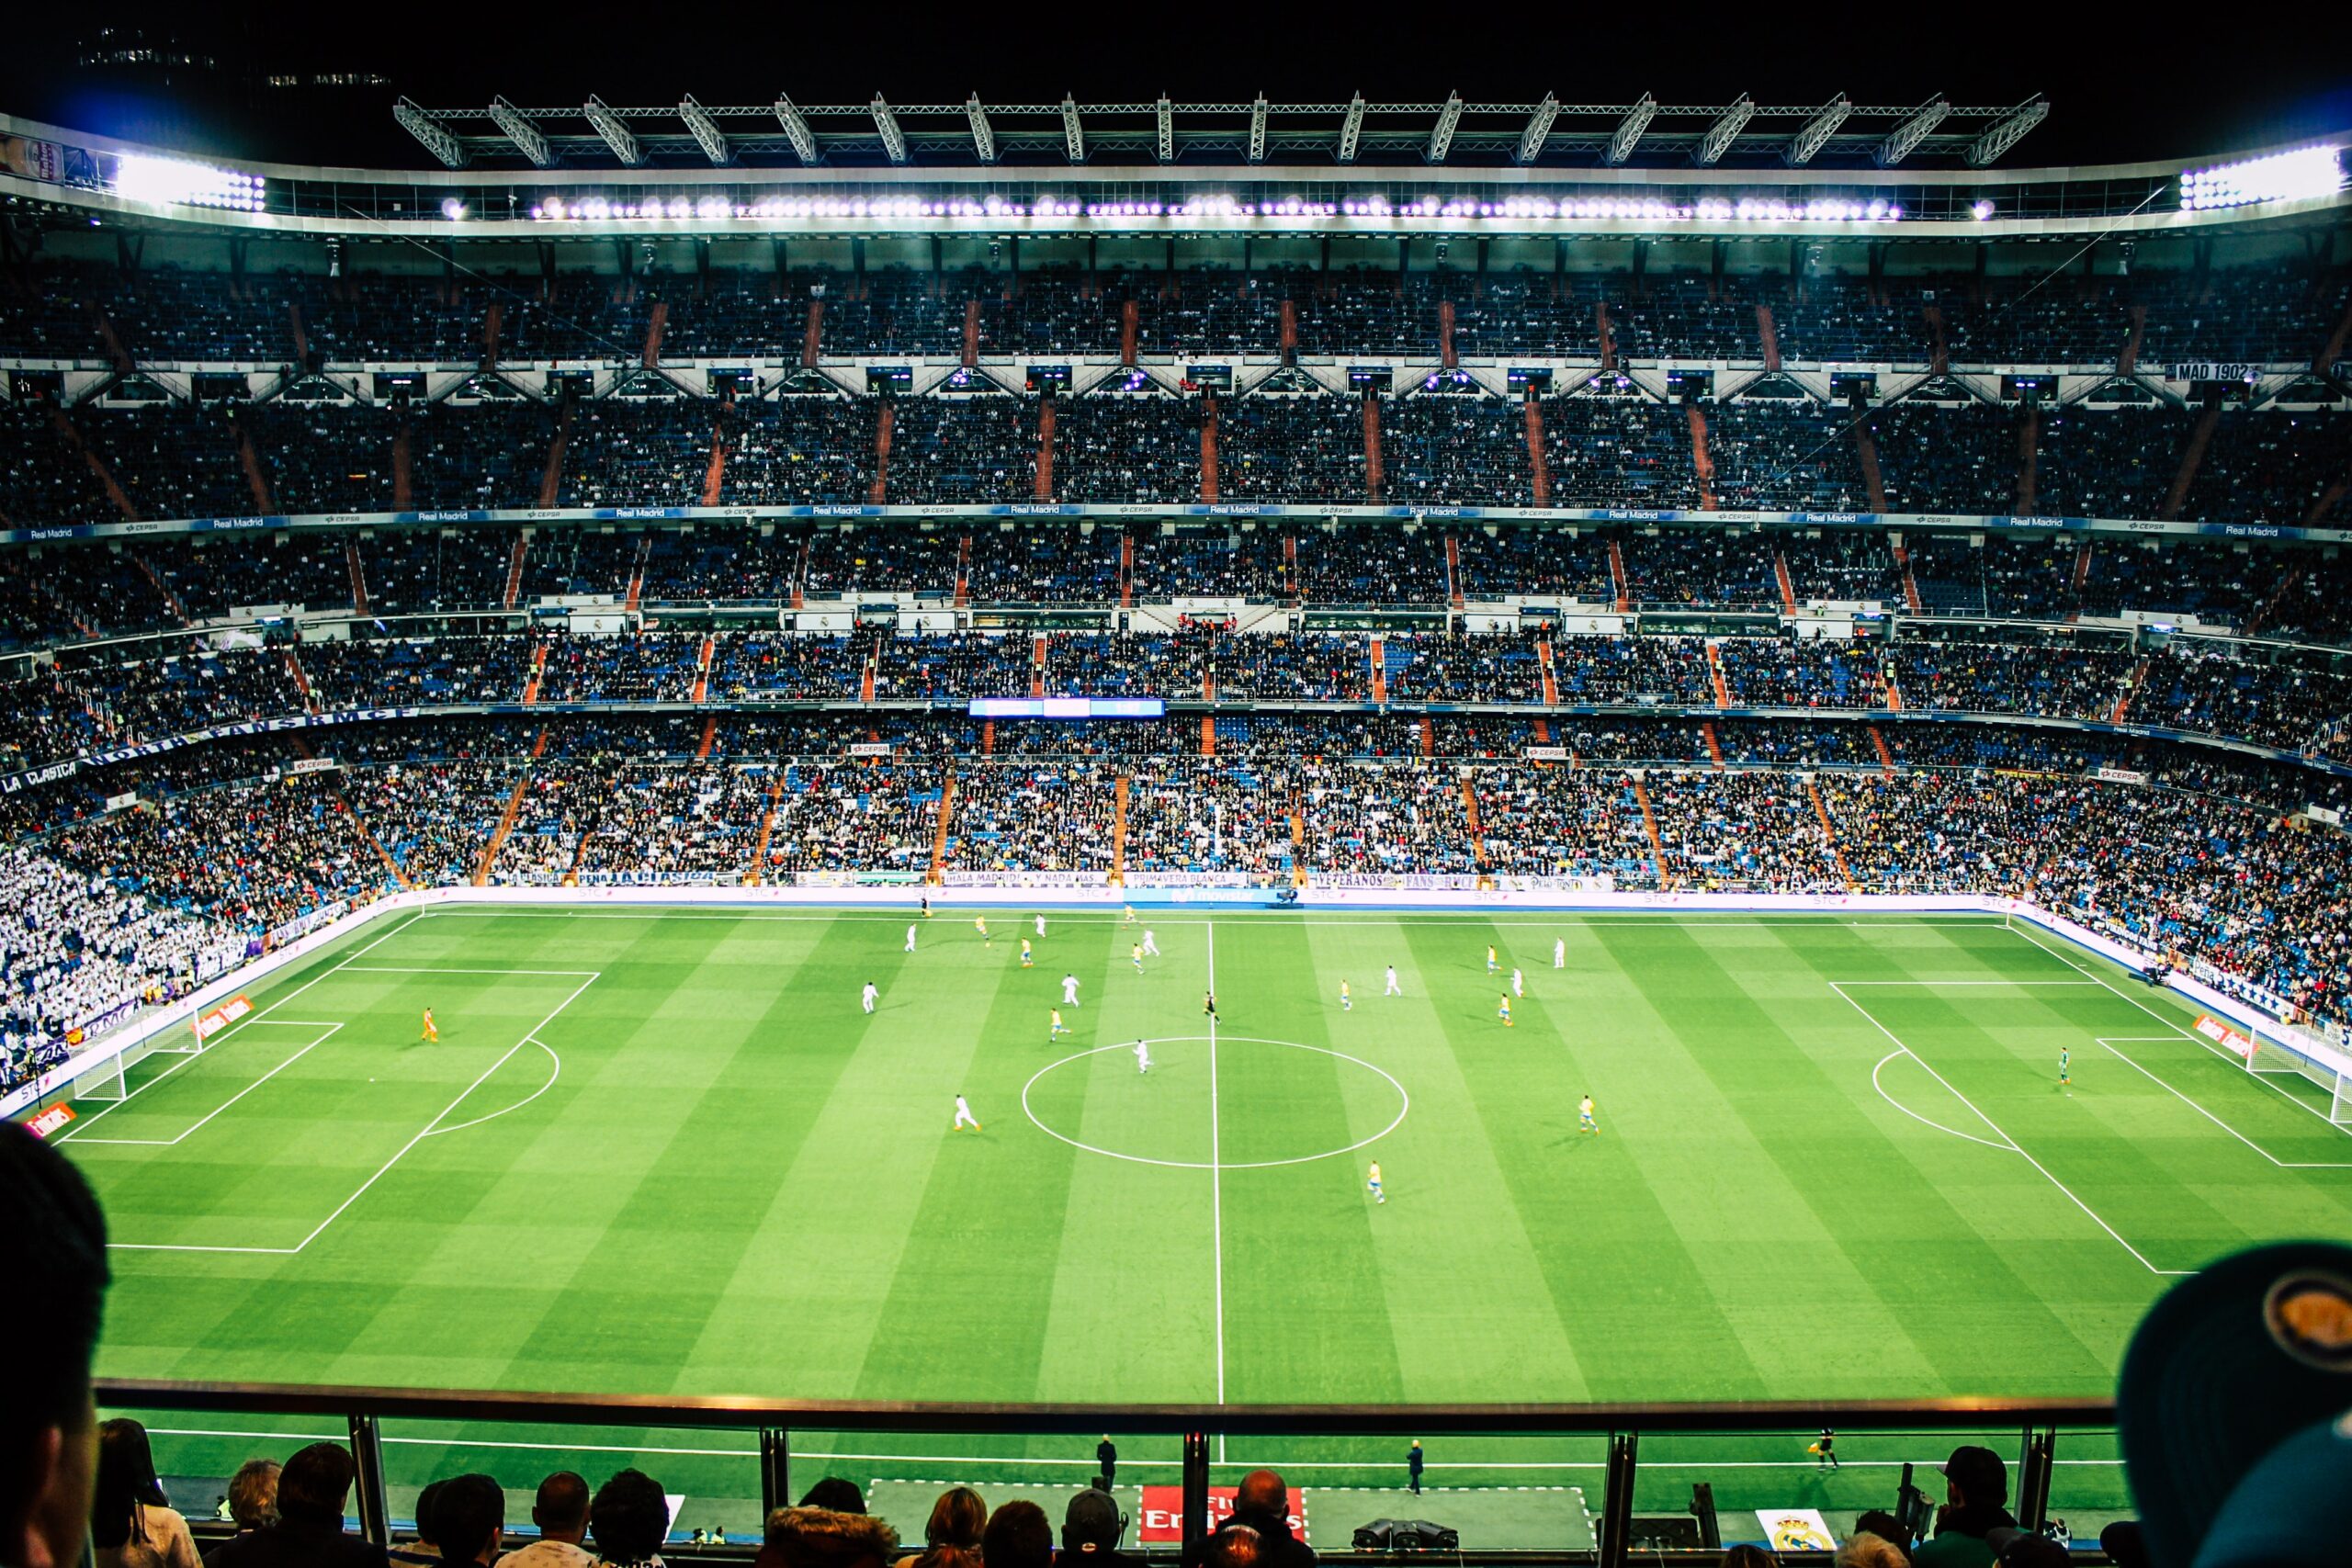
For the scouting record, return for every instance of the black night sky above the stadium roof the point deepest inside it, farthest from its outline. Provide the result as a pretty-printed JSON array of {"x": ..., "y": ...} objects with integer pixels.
[{"x": 2141, "y": 88}]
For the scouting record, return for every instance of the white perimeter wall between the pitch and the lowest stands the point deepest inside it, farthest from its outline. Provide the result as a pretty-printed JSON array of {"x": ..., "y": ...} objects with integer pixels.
[{"x": 1401, "y": 897}]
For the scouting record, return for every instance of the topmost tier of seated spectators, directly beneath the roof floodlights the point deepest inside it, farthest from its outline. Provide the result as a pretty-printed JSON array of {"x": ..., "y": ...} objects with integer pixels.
[{"x": 2271, "y": 314}]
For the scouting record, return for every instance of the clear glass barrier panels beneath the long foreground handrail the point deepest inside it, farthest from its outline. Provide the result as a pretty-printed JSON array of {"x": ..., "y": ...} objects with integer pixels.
[{"x": 1605, "y": 1487}]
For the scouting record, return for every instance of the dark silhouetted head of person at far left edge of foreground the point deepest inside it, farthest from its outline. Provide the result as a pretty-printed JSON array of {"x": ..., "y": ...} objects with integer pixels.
[{"x": 55, "y": 1242}]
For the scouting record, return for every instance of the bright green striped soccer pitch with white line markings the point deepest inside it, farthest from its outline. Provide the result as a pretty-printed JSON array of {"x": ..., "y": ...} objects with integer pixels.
[{"x": 669, "y": 1153}]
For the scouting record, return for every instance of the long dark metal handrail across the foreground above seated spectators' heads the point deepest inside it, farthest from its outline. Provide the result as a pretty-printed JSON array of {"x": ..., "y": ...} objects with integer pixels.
[{"x": 1958, "y": 1414}]
